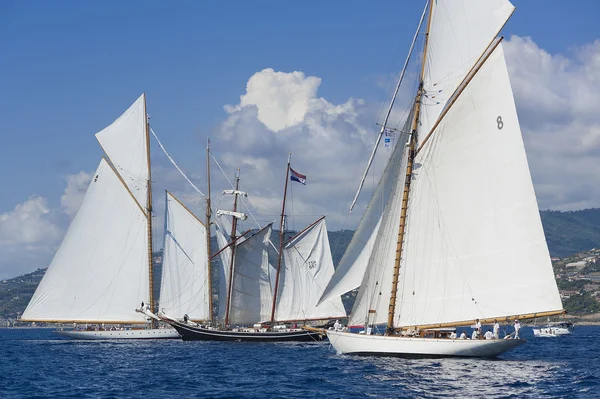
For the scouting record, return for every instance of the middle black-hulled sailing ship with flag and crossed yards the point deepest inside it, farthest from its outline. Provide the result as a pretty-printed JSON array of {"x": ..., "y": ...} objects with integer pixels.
[{"x": 304, "y": 266}]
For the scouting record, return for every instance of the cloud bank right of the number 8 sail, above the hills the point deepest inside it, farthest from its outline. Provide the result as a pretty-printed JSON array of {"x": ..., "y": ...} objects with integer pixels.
[{"x": 557, "y": 97}]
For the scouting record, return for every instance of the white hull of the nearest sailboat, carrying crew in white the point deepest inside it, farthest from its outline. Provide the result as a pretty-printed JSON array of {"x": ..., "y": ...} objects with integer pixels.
[{"x": 378, "y": 345}]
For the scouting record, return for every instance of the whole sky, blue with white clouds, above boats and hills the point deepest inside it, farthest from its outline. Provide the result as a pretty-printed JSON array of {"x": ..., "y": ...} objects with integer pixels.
[{"x": 261, "y": 79}]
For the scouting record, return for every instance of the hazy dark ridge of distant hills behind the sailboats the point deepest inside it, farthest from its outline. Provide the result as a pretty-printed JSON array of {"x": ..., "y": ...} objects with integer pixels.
[{"x": 567, "y": 233}]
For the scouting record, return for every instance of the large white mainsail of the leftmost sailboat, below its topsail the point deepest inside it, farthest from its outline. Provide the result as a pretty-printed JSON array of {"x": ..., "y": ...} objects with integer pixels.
[{"x": 100, "y": 271}]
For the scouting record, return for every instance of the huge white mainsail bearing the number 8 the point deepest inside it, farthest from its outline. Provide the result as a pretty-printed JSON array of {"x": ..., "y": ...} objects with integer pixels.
[{"x": 475, "y": 246}]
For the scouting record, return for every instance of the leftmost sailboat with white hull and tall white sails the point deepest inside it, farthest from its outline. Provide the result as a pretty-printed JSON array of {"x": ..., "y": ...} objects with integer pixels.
[{"x": 103, "y": 267}]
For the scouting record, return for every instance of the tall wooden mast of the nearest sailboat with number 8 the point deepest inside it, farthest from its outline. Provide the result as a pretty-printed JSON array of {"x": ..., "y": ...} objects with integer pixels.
[{"x": 407, "y": 180}]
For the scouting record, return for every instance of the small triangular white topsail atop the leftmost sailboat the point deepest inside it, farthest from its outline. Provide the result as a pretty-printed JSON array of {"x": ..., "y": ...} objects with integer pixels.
[{"x": 125, "y": 144}]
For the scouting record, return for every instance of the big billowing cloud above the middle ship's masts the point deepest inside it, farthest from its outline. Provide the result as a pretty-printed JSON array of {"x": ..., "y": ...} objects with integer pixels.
[{"x": 281, "y": 113}]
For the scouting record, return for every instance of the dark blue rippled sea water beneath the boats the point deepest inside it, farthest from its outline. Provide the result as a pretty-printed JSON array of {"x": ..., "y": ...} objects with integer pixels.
[{"x": 34, "y": 363}]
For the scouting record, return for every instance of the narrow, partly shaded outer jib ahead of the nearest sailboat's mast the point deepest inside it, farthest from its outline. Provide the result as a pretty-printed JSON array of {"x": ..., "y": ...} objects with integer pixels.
[{"x": 351, "y": 269}]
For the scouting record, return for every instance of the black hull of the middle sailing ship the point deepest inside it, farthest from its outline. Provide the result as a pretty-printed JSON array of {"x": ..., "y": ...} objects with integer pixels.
[{"x": 191, "y": 333}]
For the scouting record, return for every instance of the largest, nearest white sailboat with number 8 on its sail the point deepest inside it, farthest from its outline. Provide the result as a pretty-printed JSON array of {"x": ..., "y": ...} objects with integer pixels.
[{"x": 459, "y": 238}]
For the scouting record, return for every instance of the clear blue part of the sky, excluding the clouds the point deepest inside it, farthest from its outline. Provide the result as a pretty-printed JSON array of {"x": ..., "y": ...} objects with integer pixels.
[{"x": 69, "y": 68}]
